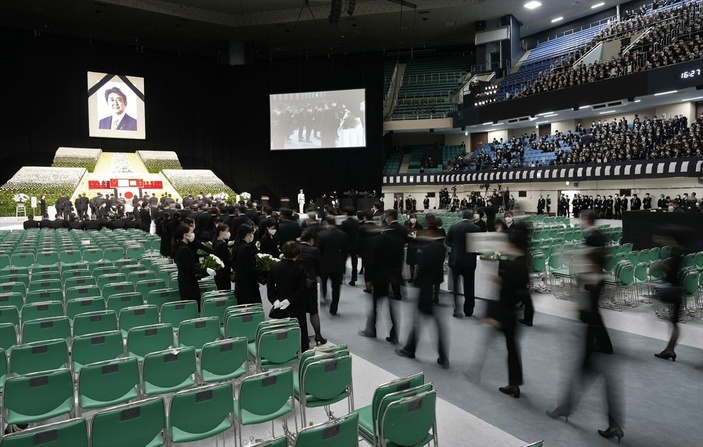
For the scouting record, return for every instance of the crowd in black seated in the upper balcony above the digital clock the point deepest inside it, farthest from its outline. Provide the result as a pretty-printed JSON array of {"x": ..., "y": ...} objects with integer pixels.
[{"x": 675, "y": 37}]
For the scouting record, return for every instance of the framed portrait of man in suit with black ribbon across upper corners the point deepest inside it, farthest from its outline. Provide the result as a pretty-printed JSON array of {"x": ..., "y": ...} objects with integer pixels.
[{"x": 116, "y": 106}]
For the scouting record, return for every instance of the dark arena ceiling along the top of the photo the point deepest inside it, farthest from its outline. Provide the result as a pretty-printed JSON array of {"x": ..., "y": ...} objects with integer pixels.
[{"x": 285, "y": 28}]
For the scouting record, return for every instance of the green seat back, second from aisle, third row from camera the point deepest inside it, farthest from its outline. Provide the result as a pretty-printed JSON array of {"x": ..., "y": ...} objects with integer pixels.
[{"x": 223, "y": 360}]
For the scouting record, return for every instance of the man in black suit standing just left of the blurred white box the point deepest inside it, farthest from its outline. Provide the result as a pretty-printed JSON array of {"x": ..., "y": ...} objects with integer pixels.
[{"x": 462, "y": 263}]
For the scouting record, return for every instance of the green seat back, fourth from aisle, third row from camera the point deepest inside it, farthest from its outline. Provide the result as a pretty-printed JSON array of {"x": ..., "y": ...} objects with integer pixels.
[{"x": 107, "y": 383}]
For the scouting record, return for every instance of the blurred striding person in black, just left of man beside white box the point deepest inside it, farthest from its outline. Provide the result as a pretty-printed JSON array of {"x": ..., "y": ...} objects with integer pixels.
[{"x": 430, "y": 270}]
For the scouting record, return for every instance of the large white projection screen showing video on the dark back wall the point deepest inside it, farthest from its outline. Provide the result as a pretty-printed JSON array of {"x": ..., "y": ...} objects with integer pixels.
[{"x": 318, "y": 120}]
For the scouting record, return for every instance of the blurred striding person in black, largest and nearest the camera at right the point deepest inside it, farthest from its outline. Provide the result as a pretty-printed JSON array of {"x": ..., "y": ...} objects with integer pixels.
[{"x": 597, "y": 341}]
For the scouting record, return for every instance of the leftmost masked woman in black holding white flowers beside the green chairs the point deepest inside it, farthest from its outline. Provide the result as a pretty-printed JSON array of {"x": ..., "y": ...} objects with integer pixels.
[{"x": 187, "y": 263}]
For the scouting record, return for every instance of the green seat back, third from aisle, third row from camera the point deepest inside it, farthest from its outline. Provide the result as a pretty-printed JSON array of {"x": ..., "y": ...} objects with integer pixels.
[{"x": 168, "y": 371}]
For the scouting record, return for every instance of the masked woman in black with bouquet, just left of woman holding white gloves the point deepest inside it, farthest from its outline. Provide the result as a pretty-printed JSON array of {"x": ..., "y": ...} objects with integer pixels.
[{"x": 246, "y": 286}]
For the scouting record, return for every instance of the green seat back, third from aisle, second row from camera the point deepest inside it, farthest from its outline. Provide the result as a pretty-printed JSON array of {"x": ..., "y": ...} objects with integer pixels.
[{"x": 200, "y": 413}]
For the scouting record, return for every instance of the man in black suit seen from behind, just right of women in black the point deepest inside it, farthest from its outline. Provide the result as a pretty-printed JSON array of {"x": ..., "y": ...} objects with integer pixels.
[{"x": 333, "y": 244}]
